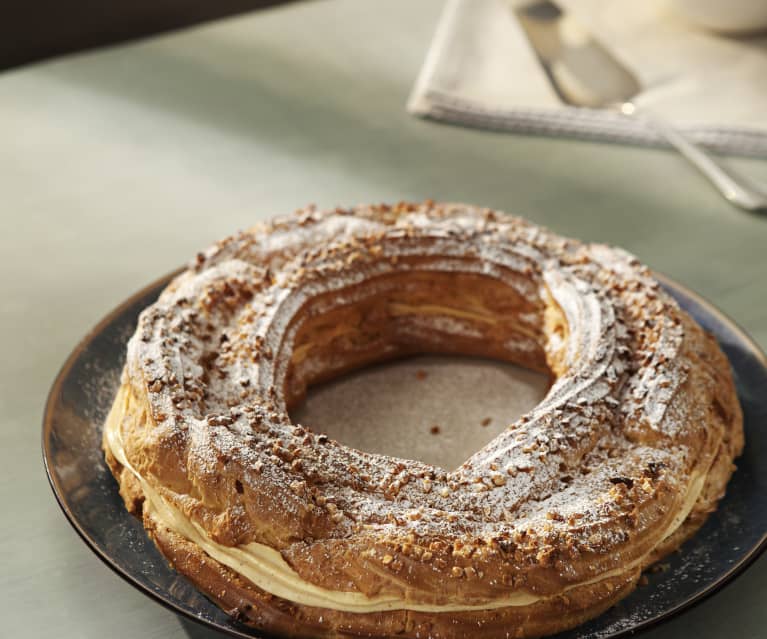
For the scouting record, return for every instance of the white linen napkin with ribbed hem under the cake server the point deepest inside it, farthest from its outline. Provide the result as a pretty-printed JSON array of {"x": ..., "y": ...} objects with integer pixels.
[{"x": 481, "y": 71}]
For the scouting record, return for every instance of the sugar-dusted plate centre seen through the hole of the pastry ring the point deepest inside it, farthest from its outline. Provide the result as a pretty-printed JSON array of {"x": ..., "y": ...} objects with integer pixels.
[{"x": 437, "y": 409}]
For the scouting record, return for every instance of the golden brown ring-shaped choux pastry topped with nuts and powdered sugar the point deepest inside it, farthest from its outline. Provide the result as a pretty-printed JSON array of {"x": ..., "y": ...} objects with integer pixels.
[{"x": 568, "y": 505}]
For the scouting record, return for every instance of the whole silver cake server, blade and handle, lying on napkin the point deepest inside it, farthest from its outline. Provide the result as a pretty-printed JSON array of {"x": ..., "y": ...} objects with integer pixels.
[{"x": 585, "y": 74}]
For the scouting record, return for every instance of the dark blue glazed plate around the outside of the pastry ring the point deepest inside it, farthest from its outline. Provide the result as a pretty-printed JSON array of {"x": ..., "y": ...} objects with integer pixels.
[{"x": 81, "y": 396}]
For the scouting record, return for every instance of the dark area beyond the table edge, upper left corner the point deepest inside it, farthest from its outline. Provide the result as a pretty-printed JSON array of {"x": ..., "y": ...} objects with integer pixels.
[{"x": 38, "y": 29}]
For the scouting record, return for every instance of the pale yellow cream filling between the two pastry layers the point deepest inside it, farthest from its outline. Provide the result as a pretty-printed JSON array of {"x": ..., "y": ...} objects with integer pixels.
[{"x": 266, "y": 568}]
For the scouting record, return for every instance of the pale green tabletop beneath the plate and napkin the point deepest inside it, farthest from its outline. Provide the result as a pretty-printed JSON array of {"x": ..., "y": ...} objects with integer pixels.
[{"x": 117, "y": 166}]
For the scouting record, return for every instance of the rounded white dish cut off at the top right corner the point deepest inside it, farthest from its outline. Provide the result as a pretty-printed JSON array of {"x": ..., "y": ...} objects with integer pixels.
[{"x": 724, "y": 16}]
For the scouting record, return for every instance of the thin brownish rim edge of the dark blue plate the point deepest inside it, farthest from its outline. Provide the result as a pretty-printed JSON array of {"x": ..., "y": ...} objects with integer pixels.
[{"x": 715, "y": 586}]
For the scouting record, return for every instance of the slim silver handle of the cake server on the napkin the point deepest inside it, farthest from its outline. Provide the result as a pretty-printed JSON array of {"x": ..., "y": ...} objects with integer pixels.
[{"x": 733, "y": 190}]
